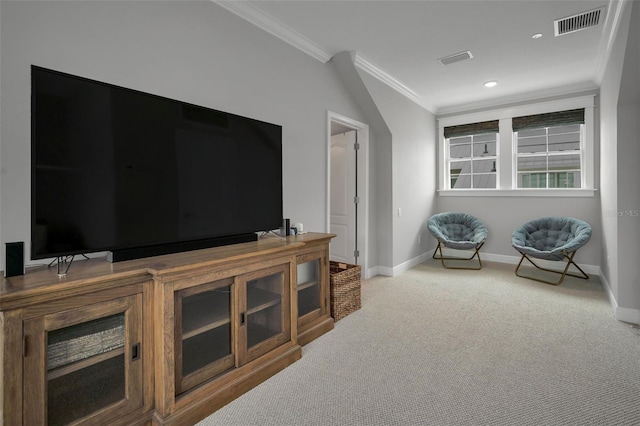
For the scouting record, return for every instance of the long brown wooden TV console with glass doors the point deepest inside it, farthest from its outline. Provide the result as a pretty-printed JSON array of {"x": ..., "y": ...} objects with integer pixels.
[{"x": 153, "y": 373}]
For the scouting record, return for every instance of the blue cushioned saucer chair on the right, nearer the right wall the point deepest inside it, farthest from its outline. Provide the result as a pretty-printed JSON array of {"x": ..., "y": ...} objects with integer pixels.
[{"x": 551, "y": 238}]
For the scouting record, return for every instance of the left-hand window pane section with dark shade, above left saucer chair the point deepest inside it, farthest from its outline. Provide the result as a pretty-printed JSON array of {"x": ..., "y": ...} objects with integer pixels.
[{"x": 472, "y": 155}]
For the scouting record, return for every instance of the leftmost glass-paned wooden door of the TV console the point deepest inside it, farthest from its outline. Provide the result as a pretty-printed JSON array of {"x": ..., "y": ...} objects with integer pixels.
[{"x": 92, "y": 358}]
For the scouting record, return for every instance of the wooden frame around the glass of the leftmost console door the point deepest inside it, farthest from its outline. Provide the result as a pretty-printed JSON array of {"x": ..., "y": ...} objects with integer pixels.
[{"x": 35, "y": 370}]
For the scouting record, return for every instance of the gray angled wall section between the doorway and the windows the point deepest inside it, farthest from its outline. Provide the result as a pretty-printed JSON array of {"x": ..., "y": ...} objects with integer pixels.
[{"x": 403, "y": 159}]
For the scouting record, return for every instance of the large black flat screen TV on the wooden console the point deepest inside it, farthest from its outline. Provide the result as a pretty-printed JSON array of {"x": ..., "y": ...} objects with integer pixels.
[{"x": 136, "y": 174}]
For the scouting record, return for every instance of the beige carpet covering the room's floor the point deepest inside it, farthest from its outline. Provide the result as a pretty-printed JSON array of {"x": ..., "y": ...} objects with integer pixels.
[{"x": 447, "y": 347}]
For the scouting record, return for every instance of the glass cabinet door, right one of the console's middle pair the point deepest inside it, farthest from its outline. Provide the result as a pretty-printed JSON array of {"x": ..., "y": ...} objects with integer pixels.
[{"x": 266, "y": 314}]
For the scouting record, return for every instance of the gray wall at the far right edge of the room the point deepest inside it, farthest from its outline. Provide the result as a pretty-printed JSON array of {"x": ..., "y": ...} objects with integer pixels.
[{"x": 620, "y": 136}]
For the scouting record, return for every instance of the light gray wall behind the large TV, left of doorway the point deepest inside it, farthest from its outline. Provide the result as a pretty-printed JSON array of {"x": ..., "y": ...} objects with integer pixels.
[{"x": 191, "y": 51}]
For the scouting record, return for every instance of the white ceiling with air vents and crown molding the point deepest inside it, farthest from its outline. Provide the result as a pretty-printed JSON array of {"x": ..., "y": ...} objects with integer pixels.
[{"x": 400, "y": 43}]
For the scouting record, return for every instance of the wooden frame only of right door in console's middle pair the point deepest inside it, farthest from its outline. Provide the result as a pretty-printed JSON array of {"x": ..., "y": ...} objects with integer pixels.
[{"x": 245, "y": 352}]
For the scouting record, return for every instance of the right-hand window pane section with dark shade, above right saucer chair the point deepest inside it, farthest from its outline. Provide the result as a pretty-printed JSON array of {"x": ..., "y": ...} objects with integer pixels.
[{"x": 549, "y": 150}]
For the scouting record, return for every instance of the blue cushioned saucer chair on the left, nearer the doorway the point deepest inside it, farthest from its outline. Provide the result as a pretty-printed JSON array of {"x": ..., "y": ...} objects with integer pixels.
[{"x": 459, "y": 231}]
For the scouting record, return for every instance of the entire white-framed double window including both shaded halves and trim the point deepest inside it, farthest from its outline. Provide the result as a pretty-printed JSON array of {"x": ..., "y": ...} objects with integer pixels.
[{"x": 538, "y": 149}]
